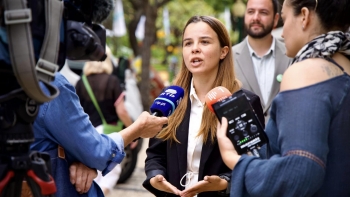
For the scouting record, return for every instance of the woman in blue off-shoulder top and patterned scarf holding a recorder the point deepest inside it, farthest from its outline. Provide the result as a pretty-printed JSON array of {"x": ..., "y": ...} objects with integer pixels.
[{"x": 309, "y": 128}]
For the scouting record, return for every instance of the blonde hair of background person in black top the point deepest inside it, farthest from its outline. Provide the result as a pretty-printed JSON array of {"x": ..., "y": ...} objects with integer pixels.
[{"x": 96, "y": 67}]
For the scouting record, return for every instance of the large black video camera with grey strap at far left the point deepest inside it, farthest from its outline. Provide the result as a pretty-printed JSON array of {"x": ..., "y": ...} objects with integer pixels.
[{"x": 36, "y": 38}]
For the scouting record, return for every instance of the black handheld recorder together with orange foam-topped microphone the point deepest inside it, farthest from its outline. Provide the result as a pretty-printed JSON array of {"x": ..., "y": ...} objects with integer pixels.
[{"x": 244, "y": 129}]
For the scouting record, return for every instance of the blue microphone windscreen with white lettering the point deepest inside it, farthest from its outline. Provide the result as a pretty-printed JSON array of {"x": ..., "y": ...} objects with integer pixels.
[{"x": 166, "y": 103}]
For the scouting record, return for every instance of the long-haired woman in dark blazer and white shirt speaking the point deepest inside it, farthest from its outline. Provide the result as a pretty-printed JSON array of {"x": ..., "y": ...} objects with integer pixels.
[{"x": 186, "y": 150}]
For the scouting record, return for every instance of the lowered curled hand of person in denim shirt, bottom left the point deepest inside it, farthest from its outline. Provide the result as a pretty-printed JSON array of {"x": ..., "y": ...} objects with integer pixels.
[{"x": 81, "y": 176}]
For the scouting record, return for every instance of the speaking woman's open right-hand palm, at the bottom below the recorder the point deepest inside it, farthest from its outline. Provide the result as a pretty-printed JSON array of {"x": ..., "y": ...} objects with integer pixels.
[{"x": 210, "y": 183}]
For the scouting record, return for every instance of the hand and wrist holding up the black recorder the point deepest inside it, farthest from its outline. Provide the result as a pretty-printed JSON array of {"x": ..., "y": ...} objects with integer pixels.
[{"x": 227, "y": 151}]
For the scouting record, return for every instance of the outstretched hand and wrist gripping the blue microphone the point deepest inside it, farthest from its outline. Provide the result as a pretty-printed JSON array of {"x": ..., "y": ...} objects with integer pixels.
[{"x": 145, "y": 126}]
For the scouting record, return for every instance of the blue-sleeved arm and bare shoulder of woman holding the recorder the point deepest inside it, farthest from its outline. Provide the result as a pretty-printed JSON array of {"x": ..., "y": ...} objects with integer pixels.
[{"x": 298, "y": 169}]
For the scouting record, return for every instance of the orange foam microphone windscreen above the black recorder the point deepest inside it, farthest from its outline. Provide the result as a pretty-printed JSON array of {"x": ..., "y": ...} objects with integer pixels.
[{"x": 215, "y": 95}]
